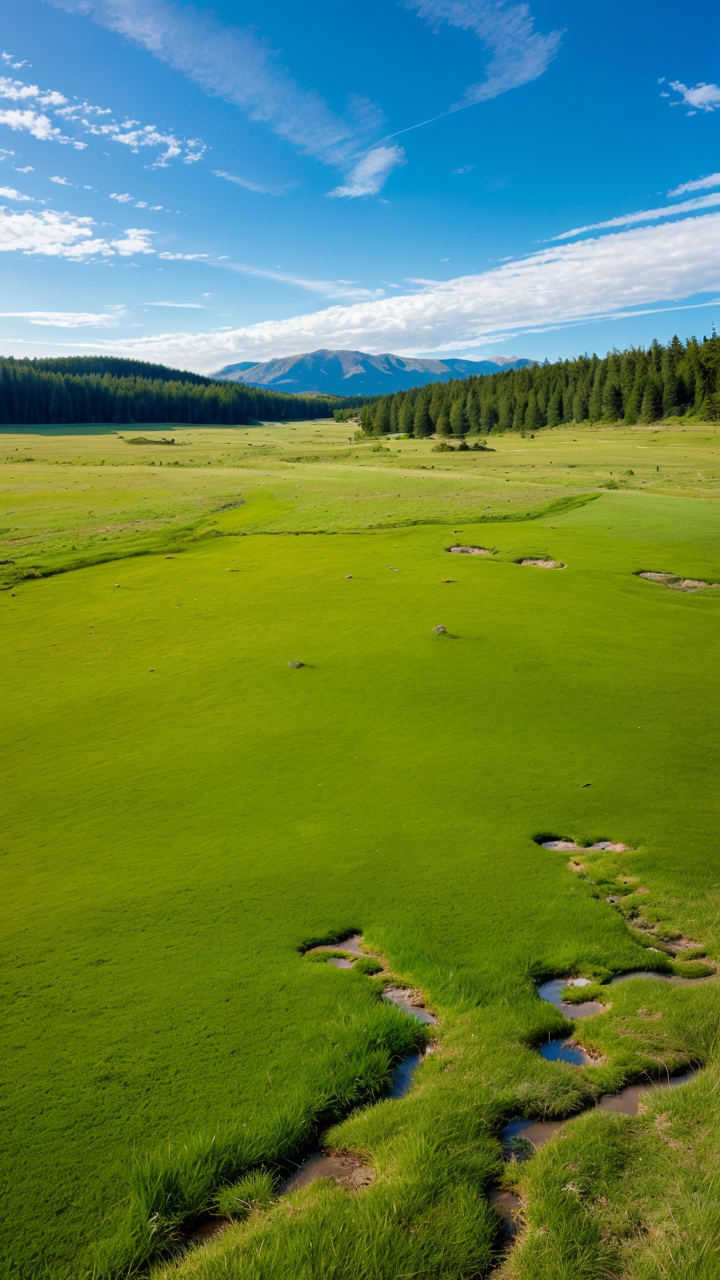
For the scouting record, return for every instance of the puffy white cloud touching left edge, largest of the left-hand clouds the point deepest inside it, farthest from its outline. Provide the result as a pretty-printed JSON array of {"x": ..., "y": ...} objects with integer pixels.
[{"x": 54, "y": 235}]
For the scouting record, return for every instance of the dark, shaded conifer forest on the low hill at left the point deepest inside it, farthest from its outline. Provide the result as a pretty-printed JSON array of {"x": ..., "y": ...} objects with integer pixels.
[{"x": 107, "y": 390}]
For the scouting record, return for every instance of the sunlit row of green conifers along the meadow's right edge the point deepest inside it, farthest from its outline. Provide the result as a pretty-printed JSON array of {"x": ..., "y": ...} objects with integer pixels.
[{"x": 636, "y": 386}]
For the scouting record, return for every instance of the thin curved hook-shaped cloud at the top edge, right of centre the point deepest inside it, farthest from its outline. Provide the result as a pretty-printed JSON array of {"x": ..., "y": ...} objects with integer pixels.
[{"x": 518, "y": 53}]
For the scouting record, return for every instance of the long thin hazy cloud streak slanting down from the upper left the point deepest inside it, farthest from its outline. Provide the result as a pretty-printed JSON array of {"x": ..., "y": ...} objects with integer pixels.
[{"x": 234, "y": 63}]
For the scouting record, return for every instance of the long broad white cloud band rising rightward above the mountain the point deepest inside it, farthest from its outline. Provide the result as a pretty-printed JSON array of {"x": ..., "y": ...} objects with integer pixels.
[{"x": 558, "y": 286}]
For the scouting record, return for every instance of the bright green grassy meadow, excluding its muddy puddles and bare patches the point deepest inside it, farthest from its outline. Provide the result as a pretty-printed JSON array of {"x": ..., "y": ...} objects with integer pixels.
[{"x": 184, "y": 812}]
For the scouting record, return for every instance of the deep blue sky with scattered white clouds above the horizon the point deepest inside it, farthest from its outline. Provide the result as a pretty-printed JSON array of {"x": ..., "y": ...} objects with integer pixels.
[{"x": 203, "y": 185}]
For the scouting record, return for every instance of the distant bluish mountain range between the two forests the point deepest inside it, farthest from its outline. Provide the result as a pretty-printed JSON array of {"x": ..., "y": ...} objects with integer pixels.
[{"x": 356, "y": 373}]
